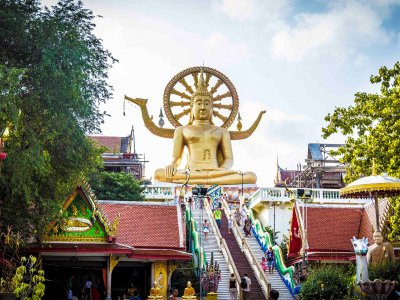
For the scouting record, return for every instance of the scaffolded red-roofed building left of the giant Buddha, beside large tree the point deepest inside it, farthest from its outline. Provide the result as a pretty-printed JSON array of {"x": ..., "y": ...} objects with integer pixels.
[{"x": 120, "y": 154}]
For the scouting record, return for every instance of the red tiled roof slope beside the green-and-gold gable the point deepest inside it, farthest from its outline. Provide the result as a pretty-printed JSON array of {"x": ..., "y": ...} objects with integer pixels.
[{"x": 146, "y": 226}]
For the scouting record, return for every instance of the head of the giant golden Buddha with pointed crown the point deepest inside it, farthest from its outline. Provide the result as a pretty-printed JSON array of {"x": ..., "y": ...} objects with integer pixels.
[{"x": 201, "y": 102}]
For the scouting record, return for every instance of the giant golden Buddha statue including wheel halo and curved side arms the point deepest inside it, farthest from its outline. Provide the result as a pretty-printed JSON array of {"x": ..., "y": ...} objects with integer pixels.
[{"x": 209, "y": 146}]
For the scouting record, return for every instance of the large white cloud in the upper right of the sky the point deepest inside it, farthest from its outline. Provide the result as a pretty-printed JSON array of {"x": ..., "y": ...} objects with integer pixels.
[{"x": 342, "y": 31}]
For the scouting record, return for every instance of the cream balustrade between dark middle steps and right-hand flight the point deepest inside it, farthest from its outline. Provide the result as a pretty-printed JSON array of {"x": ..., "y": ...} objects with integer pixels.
[{"x": 254, "y": 263}]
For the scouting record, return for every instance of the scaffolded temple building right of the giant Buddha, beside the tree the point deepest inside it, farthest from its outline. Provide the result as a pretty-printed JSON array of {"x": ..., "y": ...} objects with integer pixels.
[{"x": 321, "y": 170}]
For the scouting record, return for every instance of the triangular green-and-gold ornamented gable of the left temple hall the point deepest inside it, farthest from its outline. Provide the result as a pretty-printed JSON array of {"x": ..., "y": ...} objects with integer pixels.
[{"x": 82, "y": 219}]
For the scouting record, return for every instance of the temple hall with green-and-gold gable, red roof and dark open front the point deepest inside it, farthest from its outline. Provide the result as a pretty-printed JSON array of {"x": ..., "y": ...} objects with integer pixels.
[{"x": 116, "y": 244}]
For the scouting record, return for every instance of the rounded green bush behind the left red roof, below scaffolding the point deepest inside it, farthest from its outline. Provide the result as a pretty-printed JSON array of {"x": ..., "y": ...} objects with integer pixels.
[{"x": 116, "y": 186}]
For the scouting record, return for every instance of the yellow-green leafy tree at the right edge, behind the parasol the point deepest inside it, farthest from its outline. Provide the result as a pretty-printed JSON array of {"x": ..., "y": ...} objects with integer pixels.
[{"x": 372, "y": 130}]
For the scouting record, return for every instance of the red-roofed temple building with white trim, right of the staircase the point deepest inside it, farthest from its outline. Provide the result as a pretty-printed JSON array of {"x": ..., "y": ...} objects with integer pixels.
[{"x": 322, "y": 232}]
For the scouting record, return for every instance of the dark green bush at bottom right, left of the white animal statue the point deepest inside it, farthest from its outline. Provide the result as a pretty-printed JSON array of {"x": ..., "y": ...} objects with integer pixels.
[{"x": 325, "y": 282}]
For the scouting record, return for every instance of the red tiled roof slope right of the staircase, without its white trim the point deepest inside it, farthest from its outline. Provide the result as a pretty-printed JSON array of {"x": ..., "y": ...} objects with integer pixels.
[{"x": 331, "y": 228}]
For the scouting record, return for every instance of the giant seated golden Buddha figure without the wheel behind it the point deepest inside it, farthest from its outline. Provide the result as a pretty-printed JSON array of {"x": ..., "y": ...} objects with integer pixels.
[{"x": 209, "y": 147}]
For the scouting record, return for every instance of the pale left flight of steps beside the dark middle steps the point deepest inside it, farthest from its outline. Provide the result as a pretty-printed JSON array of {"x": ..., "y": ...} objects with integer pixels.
[{"x": 212, "y": 247}]
